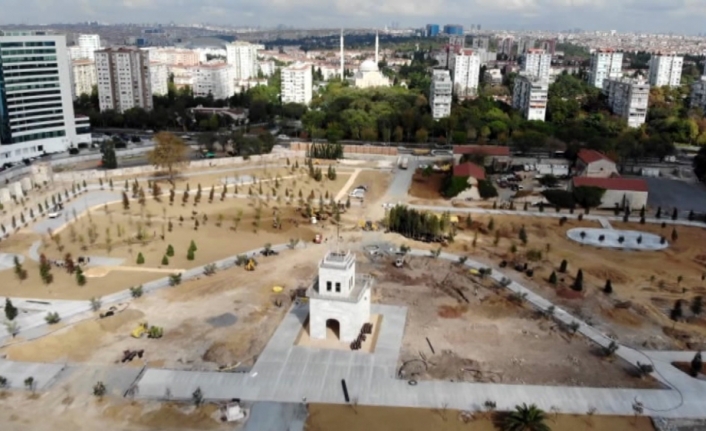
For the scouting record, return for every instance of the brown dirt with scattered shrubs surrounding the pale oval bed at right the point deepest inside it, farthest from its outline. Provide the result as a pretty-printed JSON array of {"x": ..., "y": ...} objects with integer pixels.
[{"x": 646, "y": 285}]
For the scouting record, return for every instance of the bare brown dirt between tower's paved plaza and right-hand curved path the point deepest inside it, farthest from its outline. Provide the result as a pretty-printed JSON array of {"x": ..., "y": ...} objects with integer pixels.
[{"x": 480, "y": 334}]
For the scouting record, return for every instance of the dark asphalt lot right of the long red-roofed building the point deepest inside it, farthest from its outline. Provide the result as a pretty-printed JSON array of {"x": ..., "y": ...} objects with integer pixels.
[{"x": 685, "y": 196}]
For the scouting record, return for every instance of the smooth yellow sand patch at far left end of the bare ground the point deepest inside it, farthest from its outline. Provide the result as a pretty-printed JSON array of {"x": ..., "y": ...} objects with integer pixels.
[{"x": 75, "y": 343}]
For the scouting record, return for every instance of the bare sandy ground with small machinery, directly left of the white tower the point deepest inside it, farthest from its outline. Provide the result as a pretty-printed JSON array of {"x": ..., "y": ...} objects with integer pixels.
[{"x": 218, "y": 321}]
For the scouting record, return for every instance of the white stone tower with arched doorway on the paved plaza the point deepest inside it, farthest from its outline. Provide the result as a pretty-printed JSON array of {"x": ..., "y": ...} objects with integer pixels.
[{"x": 339, "y": 299}]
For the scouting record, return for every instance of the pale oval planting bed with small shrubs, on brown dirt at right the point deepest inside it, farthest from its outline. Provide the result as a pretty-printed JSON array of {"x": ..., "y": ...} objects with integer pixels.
[{"x": 615, "y": 238}]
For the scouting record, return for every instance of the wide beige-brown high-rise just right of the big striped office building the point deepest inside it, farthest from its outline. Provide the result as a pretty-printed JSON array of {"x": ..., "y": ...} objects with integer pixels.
[{"x": 124, "y": 80}]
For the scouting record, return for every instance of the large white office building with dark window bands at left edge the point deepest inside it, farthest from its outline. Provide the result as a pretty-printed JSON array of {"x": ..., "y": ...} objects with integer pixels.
[{"x": 36, "y": 107}]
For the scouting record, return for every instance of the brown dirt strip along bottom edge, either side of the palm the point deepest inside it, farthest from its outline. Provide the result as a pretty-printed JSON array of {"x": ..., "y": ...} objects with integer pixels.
[{"x": 324, "y": 417}]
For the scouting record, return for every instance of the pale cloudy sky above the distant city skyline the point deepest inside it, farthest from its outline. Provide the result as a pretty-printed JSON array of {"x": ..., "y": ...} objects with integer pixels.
[{"x": 653, "y": 16}]
